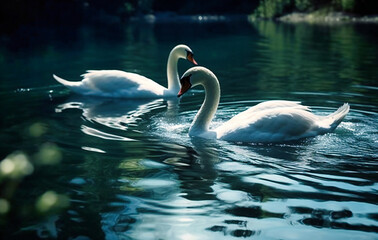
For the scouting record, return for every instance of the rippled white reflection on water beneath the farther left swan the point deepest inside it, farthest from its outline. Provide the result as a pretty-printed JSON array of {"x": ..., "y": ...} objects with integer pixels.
[{"x": 118, "y": 114}]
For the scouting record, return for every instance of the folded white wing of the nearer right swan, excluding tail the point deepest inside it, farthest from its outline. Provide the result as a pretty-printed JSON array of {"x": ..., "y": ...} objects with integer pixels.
[{"x": 274, "y": 125}]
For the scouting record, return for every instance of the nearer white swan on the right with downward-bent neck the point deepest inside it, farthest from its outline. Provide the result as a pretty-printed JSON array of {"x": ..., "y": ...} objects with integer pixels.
[{"x": 271, "y": 121}]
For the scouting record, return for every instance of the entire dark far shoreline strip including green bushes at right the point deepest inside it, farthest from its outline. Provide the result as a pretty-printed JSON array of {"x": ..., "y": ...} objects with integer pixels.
[{"x": 14, "y": 13}]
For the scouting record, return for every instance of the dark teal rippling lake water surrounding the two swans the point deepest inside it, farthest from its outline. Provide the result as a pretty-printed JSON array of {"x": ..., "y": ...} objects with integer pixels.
[{"x": 123, "y": 169}]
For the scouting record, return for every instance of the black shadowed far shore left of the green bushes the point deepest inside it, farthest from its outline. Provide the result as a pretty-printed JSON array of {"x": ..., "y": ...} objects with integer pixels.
[{"x": 76, "y": 11}]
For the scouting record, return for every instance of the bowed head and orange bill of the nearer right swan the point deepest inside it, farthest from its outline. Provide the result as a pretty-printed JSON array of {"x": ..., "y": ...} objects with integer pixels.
[{"x": 193, "y": 77}]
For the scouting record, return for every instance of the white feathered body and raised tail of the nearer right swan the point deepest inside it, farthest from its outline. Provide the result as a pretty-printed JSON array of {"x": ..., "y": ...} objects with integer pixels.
[{"x": 278, "y": 124}]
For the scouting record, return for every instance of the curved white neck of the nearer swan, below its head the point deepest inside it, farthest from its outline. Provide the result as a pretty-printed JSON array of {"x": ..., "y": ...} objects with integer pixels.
[{"x": 202, "y": 120}]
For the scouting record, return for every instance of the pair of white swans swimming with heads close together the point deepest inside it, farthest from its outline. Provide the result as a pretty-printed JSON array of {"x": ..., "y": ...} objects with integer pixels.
[{"x": 270, "y": 121}]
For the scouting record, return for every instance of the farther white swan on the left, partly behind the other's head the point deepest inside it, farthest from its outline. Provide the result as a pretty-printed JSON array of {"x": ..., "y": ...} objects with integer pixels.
[{"x": 115, "y": 83}]
